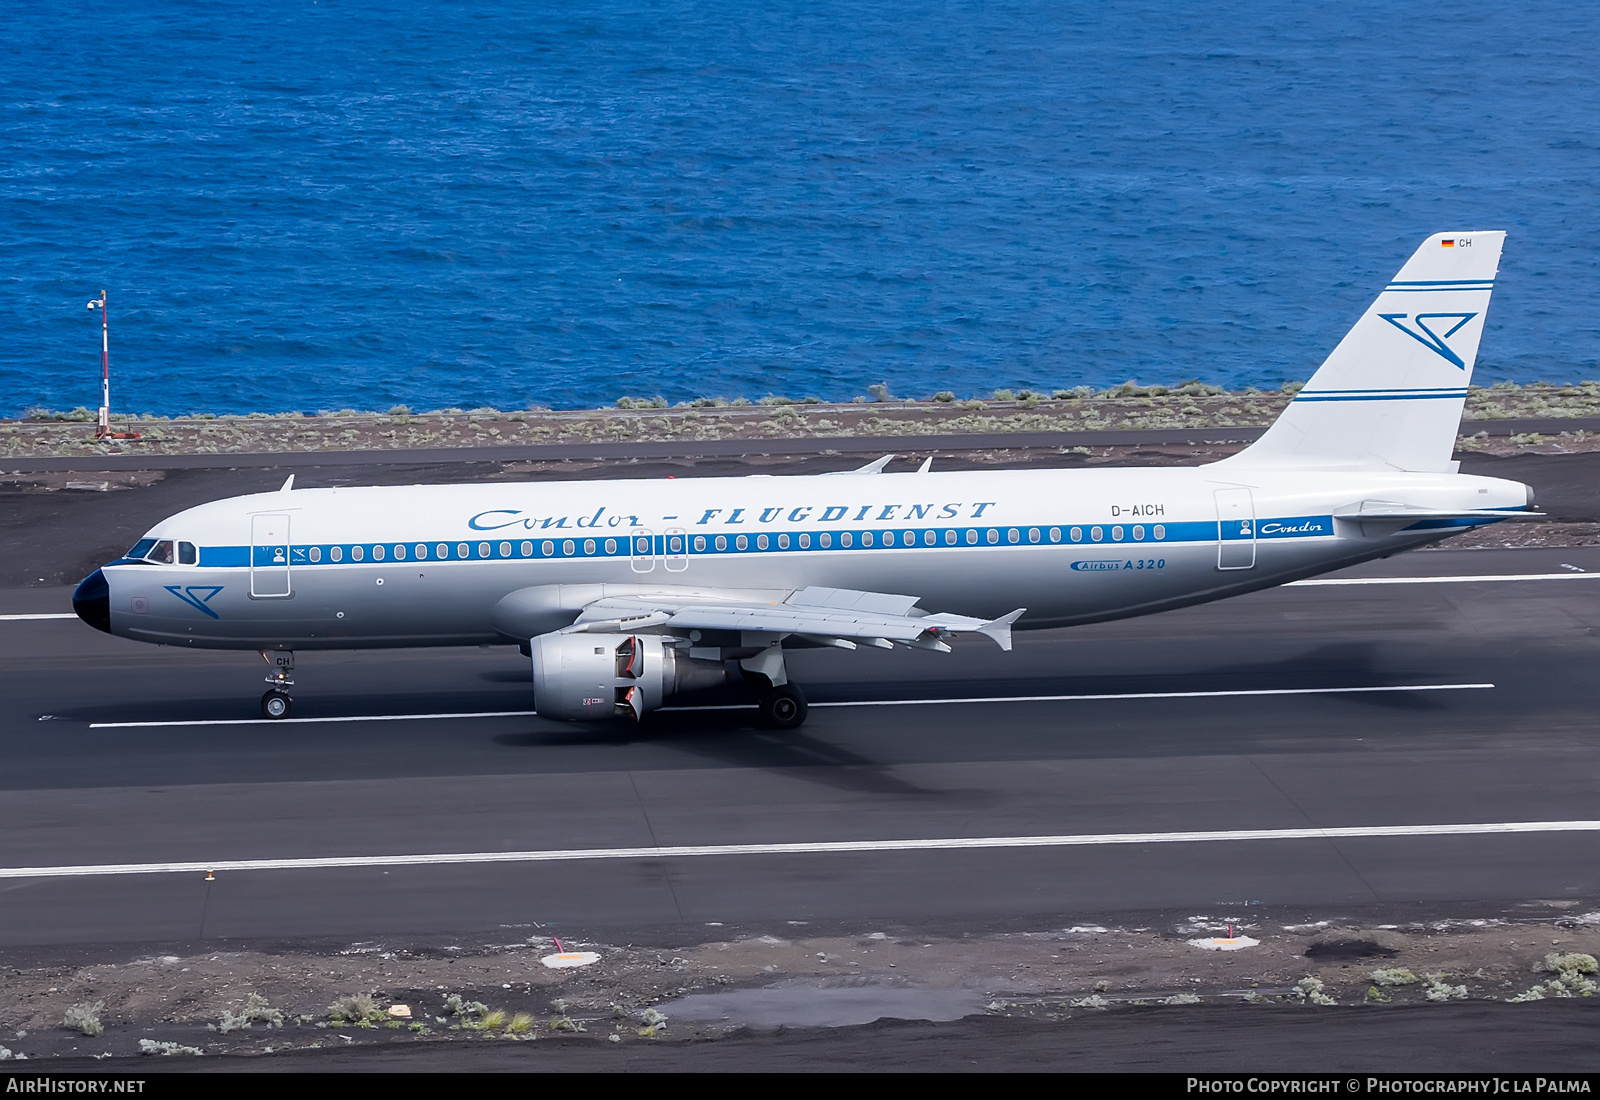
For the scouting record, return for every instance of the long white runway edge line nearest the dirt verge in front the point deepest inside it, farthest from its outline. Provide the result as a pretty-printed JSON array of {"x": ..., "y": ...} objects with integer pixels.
[{"x": 812, "y": 848}]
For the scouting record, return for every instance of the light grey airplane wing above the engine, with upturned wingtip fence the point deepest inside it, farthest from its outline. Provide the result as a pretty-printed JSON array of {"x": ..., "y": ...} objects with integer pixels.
[{"x": 830, "y": 616}]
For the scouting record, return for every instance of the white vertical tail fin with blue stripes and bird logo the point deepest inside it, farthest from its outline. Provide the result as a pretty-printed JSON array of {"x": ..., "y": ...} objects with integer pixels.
[{"x": 1393, "y": 391}]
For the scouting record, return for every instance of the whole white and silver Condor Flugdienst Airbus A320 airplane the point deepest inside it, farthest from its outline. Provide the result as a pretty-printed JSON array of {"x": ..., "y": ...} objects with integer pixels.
[{"x": 628, "y": 592}]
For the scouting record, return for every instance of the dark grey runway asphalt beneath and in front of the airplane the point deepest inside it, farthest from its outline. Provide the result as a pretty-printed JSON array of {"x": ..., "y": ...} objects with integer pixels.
[{"x": 1487, "y": 717}]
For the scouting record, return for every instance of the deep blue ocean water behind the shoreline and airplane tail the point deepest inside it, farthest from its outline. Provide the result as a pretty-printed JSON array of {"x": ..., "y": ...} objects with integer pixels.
[{"x": 326, "y": 204}]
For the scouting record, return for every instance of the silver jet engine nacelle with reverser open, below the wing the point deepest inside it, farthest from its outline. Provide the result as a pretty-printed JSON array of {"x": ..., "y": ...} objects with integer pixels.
[{"x": 594, "y": 677}]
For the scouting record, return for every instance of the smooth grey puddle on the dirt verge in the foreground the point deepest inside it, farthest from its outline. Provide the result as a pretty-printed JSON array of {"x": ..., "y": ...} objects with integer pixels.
[{"x": 809, "y": 1005}]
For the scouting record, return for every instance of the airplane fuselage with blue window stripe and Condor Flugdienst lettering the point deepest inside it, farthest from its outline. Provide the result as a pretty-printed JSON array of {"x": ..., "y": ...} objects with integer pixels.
[{"x": 428, "y": 565}]
